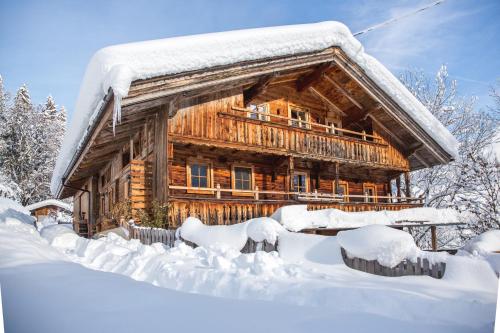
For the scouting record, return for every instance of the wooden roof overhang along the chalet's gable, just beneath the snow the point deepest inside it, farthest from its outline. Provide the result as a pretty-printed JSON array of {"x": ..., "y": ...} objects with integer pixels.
[{"x": 145, "y": 97}]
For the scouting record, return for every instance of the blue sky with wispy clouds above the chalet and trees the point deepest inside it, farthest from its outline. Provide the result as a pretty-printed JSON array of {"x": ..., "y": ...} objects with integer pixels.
[{"x": 47, "y": 44}]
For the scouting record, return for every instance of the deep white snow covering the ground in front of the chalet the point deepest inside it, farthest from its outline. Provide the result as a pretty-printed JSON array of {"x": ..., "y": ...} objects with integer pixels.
[{"x": 58, "y": 282}]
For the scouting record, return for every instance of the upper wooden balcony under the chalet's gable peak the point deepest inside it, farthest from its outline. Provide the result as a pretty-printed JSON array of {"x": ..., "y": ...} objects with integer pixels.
[{"x": 282, "y": 135}]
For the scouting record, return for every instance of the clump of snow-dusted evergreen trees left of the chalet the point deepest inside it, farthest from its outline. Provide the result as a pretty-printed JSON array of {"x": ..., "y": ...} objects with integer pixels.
[{"x": 30, "y": 140}]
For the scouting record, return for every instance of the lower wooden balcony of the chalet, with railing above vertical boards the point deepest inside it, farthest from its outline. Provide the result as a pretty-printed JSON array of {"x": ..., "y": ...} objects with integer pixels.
[{"x": 218, "y": 210}]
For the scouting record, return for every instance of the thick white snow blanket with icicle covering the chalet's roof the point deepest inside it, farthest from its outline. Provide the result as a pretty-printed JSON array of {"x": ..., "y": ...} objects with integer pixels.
[{"x": 117, "y": 66}]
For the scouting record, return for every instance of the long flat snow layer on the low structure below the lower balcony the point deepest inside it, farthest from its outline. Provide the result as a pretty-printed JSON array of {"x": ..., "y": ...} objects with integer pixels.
[{"x": 297, "y": 217}]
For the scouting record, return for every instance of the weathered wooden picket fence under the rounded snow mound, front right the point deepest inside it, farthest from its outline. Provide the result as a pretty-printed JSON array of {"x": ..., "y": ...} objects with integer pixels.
[{"x": 406, "y": 267}]
